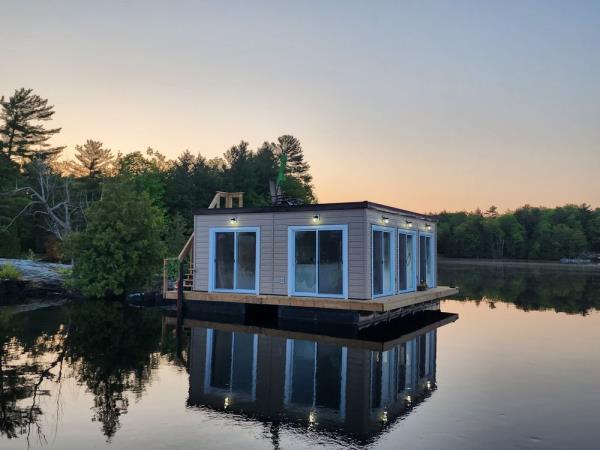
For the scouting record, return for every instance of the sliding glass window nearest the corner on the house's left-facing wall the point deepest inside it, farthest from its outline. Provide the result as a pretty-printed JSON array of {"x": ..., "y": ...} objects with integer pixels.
[{"x": 318, "y": 261}]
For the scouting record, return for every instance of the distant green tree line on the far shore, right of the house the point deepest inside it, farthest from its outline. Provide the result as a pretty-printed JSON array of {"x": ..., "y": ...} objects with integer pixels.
[{"x": 529, "y": 232}]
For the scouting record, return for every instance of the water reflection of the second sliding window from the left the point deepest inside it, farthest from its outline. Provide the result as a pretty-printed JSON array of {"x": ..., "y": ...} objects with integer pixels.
[{"x": 315, "y": 375}]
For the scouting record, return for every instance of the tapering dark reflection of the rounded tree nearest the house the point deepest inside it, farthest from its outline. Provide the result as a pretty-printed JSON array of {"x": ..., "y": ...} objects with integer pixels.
[{"x": 112, "y": 350}]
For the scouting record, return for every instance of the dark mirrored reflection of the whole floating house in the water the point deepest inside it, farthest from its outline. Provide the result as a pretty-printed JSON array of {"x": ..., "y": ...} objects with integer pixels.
[{"x": 353, "y": 386}]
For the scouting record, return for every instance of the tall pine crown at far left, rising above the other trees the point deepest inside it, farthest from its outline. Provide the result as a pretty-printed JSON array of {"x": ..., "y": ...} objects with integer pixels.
[{"x": 23, "y": 136}]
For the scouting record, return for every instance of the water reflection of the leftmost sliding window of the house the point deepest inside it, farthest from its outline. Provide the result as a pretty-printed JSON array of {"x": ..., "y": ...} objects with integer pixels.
[{"x": 231, "y": 362}]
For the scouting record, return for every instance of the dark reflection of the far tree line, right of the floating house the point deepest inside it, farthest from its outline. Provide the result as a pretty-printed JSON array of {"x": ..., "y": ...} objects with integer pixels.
[{"x": 529, "y": 289}]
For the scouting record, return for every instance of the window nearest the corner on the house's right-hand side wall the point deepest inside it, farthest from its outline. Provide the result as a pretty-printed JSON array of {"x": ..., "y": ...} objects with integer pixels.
[{"x": 382, "y": 261}]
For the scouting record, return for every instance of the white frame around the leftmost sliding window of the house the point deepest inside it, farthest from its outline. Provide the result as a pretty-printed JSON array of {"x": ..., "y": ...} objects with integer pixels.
[{"x": 212, "y": 255}]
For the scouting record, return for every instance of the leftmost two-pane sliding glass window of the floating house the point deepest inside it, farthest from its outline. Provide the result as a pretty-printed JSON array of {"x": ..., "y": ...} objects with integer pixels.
[{"x": 234, "y": 255}]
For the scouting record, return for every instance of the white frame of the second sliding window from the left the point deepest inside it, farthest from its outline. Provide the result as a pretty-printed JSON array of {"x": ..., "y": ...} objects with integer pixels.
[{"x": 292, "y": 261}]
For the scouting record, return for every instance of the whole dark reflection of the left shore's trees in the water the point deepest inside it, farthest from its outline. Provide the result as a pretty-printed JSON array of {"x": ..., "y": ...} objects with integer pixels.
[{"x": 108, "y": 347}]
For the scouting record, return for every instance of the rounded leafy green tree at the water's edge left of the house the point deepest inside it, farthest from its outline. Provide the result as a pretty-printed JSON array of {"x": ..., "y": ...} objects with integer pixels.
[{"x": 121, "y": 249}]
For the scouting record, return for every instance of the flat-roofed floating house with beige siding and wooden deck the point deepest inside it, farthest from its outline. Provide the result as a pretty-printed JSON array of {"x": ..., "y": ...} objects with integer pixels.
[{"x": 345, "y": 263}]
